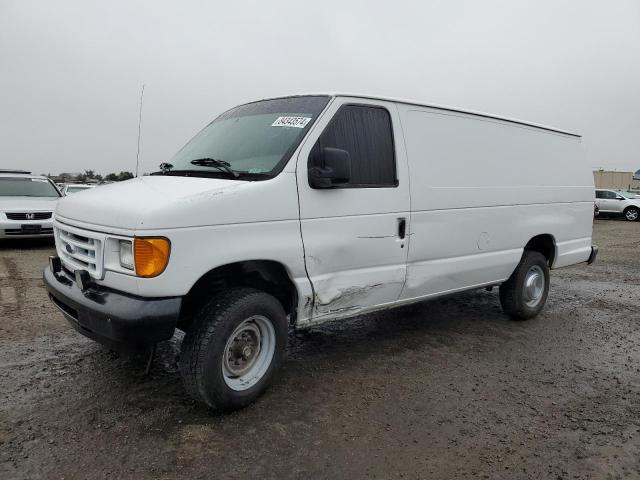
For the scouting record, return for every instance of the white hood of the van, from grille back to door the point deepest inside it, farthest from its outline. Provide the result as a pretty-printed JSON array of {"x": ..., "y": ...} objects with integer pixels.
[{"x": 165, "y": 202}]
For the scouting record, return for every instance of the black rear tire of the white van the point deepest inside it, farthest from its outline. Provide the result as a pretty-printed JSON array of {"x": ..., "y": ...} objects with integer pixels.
[{"x": 514, "y": 293}]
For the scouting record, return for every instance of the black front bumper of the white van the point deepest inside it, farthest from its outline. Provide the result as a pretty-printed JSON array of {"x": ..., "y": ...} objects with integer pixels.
[{"x": 116, "y": 319}]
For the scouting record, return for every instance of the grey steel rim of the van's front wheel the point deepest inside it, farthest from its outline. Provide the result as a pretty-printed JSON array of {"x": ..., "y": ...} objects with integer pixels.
[{"x": 248, "y": 353}]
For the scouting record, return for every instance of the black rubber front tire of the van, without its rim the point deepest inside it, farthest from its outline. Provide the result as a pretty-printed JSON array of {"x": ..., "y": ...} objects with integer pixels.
[{"x": 203, "y": 348}]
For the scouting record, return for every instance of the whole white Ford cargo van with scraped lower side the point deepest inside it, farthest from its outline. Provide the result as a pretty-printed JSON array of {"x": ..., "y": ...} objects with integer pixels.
[{"x": 289, "y": 212}]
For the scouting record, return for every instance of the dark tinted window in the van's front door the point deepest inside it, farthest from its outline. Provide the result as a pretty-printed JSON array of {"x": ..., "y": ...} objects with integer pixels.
[{"x": 365, "y": 132}]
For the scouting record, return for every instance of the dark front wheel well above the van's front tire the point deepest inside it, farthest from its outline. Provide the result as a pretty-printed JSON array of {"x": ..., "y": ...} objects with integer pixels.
[{"x": 265, "y": 275}]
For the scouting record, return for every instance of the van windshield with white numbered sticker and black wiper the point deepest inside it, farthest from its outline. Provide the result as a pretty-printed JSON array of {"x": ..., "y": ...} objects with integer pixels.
[{"x": 255, "y": 139}]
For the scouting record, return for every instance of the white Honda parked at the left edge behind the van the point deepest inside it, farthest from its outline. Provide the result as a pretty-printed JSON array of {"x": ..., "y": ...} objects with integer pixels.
[{"x": 27, "y": 203}]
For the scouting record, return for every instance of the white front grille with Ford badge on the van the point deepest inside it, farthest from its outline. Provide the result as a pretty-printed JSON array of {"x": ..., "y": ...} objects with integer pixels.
[{"x": 79, "y": 250}]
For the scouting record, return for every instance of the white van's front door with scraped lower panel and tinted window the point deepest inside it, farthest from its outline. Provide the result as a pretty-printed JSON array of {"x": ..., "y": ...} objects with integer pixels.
[{"x": 355, "y": 235}]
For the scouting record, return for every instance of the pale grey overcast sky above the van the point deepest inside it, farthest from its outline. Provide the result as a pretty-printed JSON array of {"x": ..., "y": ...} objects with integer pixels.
[{"x": 71, "y": 71}]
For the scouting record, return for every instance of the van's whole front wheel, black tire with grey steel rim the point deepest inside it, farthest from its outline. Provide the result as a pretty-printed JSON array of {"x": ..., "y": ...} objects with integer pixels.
[{"x": 234, "y": 348}]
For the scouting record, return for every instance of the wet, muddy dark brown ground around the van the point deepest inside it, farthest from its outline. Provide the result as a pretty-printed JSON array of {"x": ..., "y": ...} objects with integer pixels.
[{"x": 445, "y": 389}]
